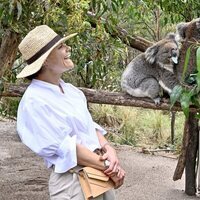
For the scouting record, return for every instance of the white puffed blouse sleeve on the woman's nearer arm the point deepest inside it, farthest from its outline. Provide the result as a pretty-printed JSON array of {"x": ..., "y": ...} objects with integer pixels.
[{"x": 43, "y": 132}]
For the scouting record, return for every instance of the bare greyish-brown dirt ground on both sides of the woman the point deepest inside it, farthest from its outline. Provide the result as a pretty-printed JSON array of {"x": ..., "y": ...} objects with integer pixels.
[{"x": 23, "y": 176}]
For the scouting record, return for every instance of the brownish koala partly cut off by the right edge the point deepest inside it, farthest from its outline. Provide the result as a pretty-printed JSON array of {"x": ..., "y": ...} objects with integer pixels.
[{"x": 187, "y": 33}]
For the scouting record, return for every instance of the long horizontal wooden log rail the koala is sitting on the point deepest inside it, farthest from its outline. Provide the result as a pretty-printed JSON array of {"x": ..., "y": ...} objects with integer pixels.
[{"x": 105, "y": 97}]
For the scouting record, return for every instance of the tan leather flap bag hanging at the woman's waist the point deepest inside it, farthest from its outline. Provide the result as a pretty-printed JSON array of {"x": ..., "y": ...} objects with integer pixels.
[{"x": 94, "y": 182}]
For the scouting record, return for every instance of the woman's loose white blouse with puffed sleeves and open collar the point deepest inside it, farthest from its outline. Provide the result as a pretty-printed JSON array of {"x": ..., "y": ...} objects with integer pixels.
[{"x": 51, "y": 123}]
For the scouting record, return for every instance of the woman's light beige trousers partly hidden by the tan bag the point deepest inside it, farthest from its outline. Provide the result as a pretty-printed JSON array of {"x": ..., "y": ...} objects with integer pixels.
[{"x": 66, "y": 186}]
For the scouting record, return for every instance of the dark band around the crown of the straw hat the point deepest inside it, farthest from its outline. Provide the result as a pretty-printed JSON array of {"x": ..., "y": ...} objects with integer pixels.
[{"x": 43, "y": 50}]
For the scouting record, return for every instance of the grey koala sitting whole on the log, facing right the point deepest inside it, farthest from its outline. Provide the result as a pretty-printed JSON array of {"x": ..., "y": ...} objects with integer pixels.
[{"x": 150, "y": 72}]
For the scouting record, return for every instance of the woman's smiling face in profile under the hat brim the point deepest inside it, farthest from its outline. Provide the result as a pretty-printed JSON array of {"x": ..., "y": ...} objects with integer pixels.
[{"x": 59, "y": 60}]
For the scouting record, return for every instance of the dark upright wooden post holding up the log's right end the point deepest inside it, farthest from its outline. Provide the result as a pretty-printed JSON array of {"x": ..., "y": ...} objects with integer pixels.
[{"x": 191, "y": 156}]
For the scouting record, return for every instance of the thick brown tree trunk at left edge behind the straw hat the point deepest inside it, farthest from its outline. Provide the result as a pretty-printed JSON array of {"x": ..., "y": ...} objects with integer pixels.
[{"x": 8, "y": 50}]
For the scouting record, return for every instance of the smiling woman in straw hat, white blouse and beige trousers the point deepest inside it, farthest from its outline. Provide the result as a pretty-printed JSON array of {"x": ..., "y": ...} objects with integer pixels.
[{"x": 53, "y": 119}]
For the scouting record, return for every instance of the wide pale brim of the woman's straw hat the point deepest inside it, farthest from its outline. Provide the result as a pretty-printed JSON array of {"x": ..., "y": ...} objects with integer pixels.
[{"x": 37, "y": 65}]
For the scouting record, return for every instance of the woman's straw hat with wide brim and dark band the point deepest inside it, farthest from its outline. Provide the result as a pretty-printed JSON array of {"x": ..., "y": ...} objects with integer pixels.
[{"x": 36, "y": 47}]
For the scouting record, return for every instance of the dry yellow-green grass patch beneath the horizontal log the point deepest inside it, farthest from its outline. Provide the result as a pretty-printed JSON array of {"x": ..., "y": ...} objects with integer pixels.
[{"x": 138, "y": 127}]
